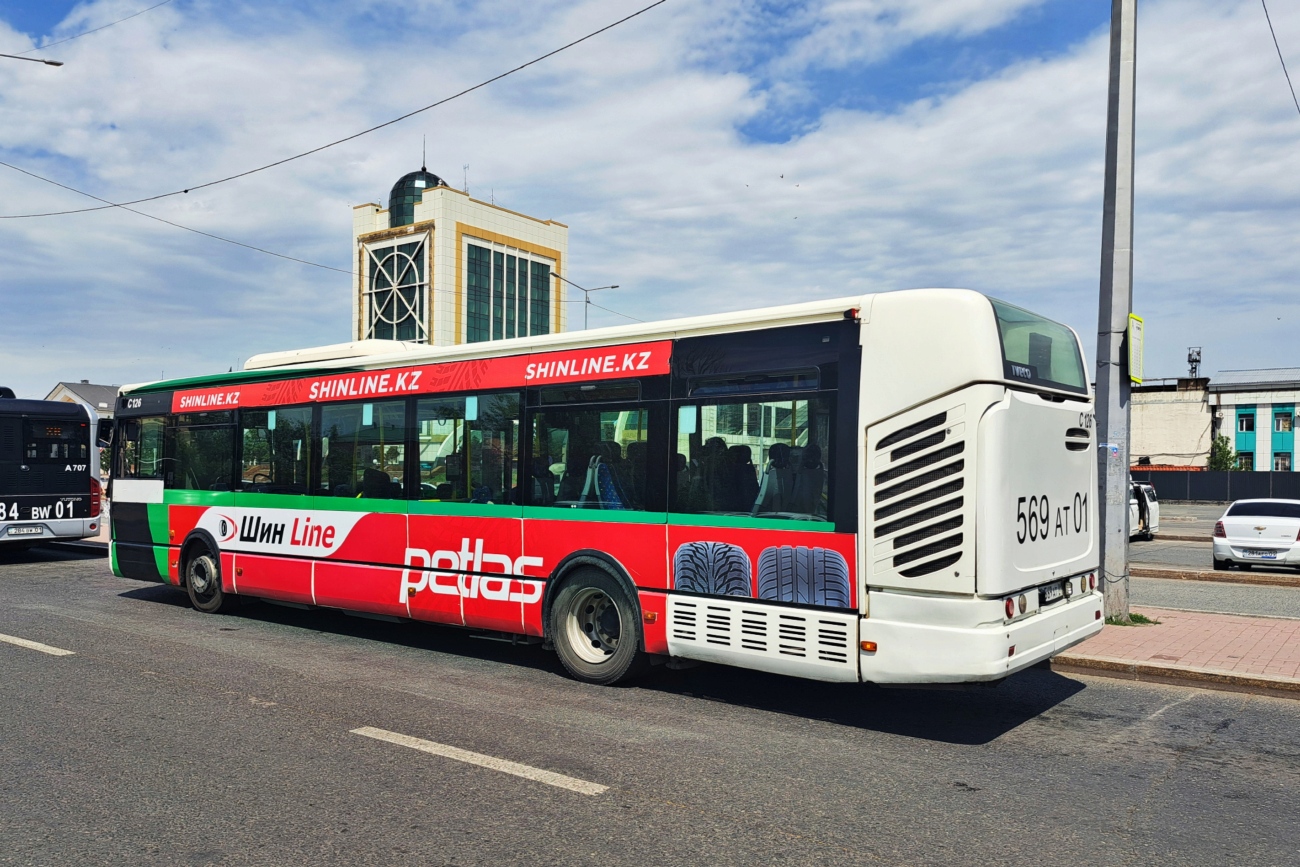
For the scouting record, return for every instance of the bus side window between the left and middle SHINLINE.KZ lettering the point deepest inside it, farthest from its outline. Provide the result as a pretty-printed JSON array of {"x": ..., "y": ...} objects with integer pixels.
[{"x": 278, "y": 449}]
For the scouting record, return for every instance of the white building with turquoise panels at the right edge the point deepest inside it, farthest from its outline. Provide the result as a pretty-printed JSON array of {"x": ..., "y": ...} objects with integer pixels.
[{"x": 1258, "y": 411}]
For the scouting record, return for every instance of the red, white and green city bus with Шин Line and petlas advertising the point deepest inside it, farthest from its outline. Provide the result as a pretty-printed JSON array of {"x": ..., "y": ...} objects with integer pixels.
[{"x": 896, "y": 488}]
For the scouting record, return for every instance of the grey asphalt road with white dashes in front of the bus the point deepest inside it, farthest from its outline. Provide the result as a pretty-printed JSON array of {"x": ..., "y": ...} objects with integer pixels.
[{"x": 172, "y": 738}]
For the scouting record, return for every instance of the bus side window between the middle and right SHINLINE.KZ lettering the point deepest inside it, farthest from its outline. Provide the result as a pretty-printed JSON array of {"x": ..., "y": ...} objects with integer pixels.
[{"x": 470, "y": 449}]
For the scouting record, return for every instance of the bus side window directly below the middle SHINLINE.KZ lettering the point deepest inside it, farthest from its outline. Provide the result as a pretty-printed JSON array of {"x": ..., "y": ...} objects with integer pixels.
[{"x": 363, "y": 450}]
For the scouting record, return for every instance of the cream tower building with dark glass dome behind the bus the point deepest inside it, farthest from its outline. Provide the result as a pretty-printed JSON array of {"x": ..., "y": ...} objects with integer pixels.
[{"x": 437, "y": 267}]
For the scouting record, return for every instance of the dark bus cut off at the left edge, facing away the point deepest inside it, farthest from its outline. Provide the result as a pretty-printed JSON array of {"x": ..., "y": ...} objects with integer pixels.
[{"x": 50, "y": 488}]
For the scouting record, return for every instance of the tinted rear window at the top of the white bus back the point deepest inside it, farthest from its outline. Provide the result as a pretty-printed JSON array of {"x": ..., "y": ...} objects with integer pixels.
[{"x": 1039, "y": 352}]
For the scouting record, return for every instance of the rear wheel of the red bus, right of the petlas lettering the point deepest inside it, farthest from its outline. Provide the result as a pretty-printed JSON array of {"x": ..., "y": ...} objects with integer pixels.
[{"x": 596, "y": 630}]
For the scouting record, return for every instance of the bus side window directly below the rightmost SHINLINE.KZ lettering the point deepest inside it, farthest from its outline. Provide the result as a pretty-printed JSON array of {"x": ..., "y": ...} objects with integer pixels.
[{"x": 587, "y": 458}]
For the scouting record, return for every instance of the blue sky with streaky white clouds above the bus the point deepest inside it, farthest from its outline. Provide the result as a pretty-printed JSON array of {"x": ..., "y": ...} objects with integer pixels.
[{"x": 934, "y": 144}]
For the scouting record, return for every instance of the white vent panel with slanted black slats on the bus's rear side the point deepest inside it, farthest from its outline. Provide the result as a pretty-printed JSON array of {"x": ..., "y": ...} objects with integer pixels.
[{"x": 920, "y": 493}]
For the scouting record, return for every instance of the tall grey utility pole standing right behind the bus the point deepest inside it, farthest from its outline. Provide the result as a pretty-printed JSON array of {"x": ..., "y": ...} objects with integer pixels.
[{"x": 1117, "y": 278}]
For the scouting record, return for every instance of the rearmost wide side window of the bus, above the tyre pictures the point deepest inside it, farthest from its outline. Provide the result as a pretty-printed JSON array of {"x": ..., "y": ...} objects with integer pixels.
[{"x": 764, "y": 459}]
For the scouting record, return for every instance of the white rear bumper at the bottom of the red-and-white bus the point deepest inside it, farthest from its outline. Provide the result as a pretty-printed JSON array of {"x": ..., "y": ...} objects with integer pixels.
[{"x": 920, "y": 640}]
